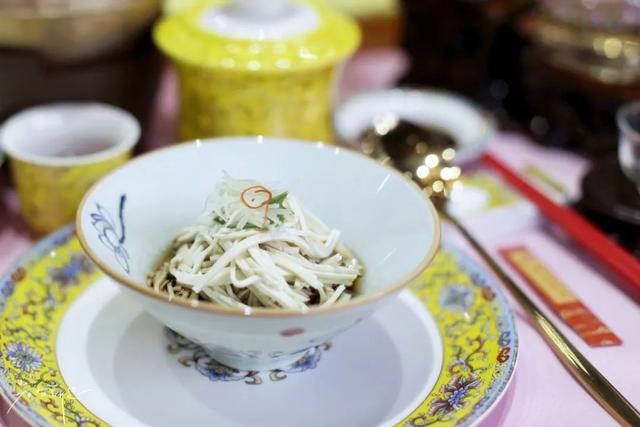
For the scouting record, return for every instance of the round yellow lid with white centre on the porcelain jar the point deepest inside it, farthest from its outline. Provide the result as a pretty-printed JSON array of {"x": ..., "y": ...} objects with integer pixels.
[{"x": 258, "y": 35}]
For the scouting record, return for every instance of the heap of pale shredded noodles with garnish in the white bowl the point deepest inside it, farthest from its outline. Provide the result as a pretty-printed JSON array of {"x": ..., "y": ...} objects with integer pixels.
[{"x": 257, "y": 247}]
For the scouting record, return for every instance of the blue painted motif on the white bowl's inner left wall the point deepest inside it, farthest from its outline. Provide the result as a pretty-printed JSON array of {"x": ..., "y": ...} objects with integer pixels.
[{"x": 111, "y": 237}]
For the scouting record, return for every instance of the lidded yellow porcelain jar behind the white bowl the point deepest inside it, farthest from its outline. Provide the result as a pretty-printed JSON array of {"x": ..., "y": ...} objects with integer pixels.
[{"x": 257, "y": 67}]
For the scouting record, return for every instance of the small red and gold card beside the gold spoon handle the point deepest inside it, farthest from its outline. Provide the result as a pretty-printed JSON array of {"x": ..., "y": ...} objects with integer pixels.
[{"x": 560, "y": 298}]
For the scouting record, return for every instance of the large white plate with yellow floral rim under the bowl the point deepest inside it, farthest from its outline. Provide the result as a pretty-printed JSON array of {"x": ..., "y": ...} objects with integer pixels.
[{"x": 73, "y": 351}]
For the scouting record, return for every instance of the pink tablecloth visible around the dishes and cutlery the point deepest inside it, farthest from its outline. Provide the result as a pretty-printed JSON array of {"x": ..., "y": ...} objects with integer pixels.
[{"x": 542, "y": 391}]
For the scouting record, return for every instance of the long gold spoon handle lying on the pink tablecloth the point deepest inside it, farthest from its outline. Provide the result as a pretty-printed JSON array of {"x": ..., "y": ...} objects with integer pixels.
[{"x": 579, "y": 366}]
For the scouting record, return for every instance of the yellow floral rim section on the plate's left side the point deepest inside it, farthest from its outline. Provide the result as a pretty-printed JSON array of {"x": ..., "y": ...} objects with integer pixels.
[{"x": 33, "y": 299}]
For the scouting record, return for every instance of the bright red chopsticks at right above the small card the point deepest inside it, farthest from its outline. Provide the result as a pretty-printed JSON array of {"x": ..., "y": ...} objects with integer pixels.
[{"x": 592, "y": 240}]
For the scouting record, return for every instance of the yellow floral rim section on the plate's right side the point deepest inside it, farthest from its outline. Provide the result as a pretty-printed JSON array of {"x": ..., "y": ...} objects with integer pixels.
[{"x": 479, "y": 340}]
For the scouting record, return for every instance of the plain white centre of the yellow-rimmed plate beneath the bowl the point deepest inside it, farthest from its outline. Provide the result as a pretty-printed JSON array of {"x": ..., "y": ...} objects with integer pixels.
[{"x": 115, "y": 356}]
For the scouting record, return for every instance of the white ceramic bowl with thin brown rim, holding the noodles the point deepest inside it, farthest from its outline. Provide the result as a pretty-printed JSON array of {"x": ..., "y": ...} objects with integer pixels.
[{"x": 127, "y": 220}]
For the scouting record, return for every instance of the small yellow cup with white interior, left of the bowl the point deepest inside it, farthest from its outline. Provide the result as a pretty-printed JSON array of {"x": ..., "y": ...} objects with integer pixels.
[{"x": 57, "y": 151}]
